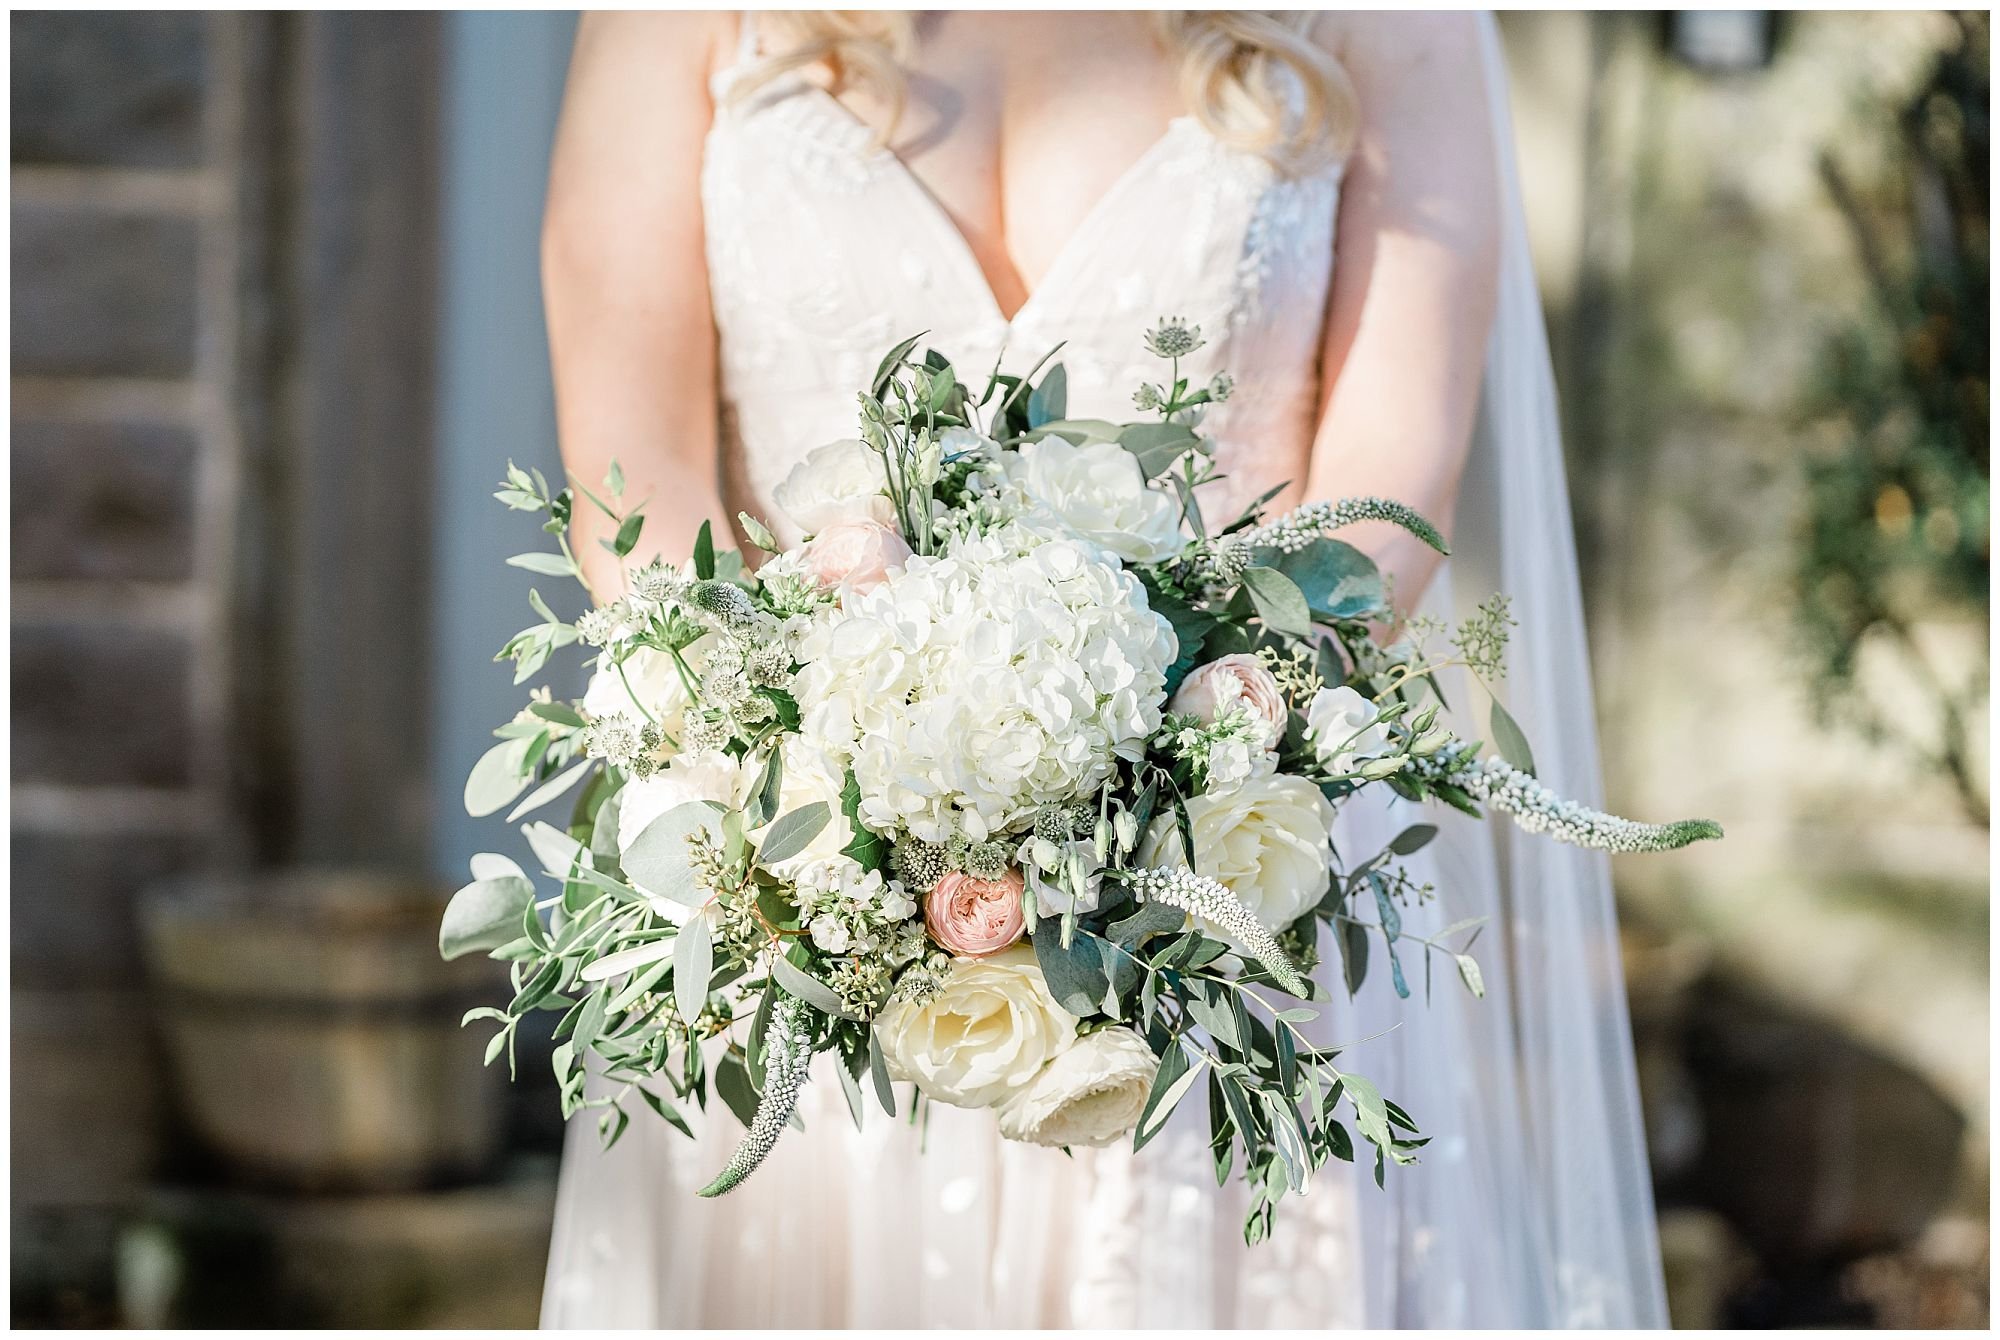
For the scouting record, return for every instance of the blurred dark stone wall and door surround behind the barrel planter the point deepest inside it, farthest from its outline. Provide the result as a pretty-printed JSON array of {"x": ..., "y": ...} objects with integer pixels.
[{"x": 223, "y": 239}]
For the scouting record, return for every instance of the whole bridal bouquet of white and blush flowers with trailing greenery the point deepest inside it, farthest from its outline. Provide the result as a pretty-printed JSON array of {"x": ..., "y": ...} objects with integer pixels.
[{"x": 1015, "y": 781}]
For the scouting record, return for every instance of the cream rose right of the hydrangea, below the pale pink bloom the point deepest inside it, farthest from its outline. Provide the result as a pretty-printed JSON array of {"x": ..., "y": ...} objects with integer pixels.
[{"x": 1265, "y": 841}]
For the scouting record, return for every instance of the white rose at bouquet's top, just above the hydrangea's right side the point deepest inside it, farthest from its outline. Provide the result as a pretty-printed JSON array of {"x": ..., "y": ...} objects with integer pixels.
[{"x": 1099, "y": 493}]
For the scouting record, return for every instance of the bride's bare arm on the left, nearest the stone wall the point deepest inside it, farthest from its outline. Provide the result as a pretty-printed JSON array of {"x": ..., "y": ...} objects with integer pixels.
[{"x": 625, "y": 281}]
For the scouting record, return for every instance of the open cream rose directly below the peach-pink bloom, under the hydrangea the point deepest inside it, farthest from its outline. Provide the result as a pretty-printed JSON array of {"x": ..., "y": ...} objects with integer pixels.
[{"x": 981, "y": 1039}]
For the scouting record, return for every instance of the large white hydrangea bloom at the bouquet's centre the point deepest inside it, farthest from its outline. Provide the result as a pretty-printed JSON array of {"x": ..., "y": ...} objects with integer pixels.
[{"x": 975, "y": 687}]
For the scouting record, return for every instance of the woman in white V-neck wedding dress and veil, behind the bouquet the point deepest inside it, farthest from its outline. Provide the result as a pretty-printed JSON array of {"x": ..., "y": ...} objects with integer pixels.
[{"x": 743, "y": 217}]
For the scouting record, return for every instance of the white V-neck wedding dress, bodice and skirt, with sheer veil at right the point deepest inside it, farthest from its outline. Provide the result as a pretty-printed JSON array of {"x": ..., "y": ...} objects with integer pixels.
[{"x": 1531, "y": 1205}]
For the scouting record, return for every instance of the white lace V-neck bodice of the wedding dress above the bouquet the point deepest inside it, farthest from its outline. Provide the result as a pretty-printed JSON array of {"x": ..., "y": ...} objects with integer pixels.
[{"x": 825, "y": 251}]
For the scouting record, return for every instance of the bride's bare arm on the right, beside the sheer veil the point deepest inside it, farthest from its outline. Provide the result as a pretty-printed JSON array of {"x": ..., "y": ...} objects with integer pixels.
[{"x": 1415, "y": 281}]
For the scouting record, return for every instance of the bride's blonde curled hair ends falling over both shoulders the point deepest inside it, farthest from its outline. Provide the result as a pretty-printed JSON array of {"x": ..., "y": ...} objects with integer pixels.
[{"x": 1231, "y": 73}]
